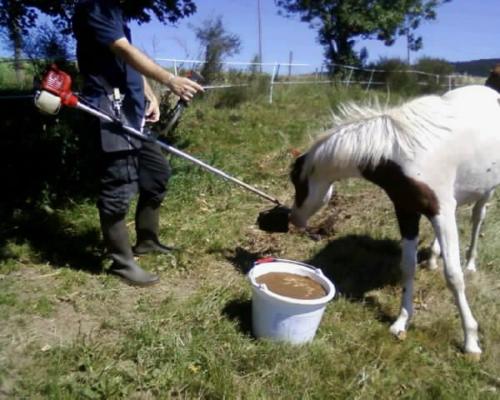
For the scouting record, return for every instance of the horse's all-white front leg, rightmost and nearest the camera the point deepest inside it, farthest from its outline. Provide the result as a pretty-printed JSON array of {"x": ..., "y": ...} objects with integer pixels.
[{"x": 445, "y": 227}]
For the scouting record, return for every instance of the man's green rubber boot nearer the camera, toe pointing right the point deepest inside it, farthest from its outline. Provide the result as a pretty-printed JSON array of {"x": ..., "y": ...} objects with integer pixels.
[{"x": 116, "y": 239}]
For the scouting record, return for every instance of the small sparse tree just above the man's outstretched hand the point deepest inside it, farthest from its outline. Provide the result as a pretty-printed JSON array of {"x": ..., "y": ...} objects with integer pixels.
[{"x": 217, "y": 44}]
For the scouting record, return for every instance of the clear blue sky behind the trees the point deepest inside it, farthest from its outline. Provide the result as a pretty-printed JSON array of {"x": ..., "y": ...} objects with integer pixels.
[{"x": 464, "y": 30}]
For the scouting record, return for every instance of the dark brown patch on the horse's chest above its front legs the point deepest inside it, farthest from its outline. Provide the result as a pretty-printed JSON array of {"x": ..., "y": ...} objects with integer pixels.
[{"x": 408, "y": 195}]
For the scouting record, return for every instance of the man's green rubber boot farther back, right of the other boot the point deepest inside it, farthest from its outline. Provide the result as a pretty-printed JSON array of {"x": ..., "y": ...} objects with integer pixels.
[{"x": 147, "y": 223}]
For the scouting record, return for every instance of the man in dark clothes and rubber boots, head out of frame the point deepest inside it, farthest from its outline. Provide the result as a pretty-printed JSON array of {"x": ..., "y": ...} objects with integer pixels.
[{"x": 108, "y": 61}]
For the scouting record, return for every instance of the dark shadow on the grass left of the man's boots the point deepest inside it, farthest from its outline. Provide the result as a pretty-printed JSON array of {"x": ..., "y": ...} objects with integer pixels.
[{"x": 52, "y": 239}]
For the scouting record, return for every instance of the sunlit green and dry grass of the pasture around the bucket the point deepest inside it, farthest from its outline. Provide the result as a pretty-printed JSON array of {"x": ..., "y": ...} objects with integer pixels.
[{"x": 69, "y": 331}]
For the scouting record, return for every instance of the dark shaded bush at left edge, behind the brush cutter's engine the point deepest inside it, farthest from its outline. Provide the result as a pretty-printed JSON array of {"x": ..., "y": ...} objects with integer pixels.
[{"x": 45, "y": 159}]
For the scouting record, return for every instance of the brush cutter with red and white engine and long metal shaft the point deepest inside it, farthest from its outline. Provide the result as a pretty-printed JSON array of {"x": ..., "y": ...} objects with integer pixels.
[{"x": 55, "y": 91}]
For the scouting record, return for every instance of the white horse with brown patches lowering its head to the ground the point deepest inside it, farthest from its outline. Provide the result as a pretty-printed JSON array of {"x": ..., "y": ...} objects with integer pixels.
[{"x": 429, "y": 155}]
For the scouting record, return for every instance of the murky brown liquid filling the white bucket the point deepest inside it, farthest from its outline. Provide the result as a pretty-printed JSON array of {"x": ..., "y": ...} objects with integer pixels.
[{"x": 292, "y": 285}]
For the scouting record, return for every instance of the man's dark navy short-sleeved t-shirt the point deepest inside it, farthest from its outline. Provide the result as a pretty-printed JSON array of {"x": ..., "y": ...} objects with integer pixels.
[{"x": 97, "y": 24}]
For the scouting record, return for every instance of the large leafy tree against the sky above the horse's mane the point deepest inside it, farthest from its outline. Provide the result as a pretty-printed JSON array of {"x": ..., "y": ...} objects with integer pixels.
[{"x": 341, "y": 22}]
